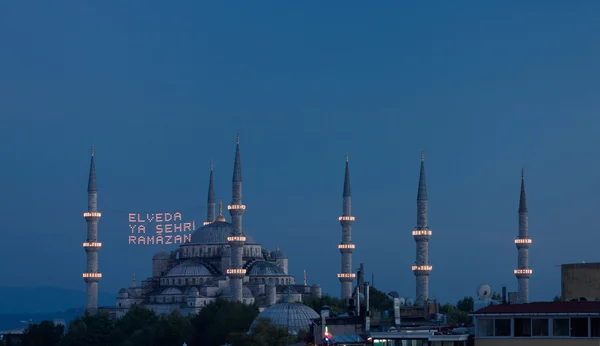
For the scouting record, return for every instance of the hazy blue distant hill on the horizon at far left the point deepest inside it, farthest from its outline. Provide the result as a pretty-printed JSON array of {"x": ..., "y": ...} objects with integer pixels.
[{"x": 41, "y": 300}]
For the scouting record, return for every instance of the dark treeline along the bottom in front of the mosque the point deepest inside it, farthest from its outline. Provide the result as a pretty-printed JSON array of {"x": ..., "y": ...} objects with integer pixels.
[{"x": 217, "y": 324}]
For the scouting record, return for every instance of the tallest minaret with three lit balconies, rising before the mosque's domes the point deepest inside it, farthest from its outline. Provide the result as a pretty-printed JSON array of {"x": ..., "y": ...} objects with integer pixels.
[{"x": 236, "y": 240}]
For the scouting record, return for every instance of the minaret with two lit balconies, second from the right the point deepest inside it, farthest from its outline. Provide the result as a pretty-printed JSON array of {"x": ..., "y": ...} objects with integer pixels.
[{"x": 422, "y": 233}]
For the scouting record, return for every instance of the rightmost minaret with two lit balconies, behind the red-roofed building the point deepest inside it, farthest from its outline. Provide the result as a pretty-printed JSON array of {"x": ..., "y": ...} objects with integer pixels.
[{"x": 523, "y": 243}]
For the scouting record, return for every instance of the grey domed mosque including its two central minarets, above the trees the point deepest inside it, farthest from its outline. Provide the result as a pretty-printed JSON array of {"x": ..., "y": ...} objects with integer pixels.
[{"x": 221, "y": 261}]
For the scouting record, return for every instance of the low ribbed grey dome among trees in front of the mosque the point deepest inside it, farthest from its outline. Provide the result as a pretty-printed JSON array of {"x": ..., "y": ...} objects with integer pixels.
[{"x": 294, "y": 317}]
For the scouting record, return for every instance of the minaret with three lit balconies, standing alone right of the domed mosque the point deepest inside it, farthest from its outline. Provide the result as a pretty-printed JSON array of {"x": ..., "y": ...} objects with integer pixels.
[{"x": 346, "y": 276}]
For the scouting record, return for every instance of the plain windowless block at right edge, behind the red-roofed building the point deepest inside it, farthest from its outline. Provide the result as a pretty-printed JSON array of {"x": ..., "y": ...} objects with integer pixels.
[{"x": 580, "y": 281}]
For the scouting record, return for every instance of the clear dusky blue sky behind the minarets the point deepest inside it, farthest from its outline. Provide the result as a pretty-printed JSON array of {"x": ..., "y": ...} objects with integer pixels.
[{"x": 161, "y": 88}]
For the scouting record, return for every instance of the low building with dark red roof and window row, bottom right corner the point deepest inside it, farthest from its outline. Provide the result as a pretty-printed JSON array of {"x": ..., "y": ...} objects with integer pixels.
[{"x": 545, "y": 323}]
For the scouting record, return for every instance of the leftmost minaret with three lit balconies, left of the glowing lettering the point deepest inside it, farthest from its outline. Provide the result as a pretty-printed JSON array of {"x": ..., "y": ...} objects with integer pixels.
[{"x": 91, "y": 276}]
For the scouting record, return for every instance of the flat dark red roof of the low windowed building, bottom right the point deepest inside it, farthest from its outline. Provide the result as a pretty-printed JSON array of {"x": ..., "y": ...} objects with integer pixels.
[{"x": 542, "y": 308}]
